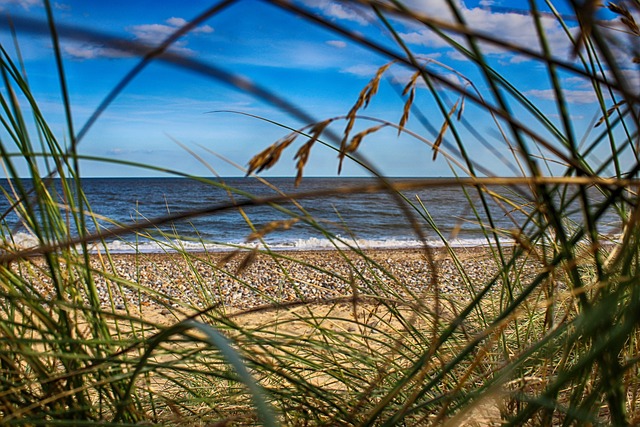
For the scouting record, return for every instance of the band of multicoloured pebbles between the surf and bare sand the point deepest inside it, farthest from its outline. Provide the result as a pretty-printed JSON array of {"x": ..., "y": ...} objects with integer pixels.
[{"x": 246, "y": 280}]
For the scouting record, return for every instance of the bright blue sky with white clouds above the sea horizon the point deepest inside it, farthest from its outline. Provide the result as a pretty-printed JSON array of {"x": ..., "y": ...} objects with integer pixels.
[{"x": 179, "y": 119}]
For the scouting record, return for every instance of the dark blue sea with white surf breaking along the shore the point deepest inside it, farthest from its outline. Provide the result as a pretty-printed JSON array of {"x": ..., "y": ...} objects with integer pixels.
[{"x": 367, "y": 220}]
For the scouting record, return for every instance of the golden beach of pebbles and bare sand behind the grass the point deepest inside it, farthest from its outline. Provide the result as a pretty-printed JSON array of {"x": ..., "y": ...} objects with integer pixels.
[{"x": 261, "y": 293}]
